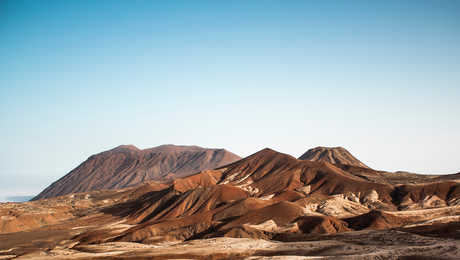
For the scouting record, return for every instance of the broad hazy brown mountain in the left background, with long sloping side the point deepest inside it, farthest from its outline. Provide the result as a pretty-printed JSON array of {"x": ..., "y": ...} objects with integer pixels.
[{"x": 127, "y": 165}]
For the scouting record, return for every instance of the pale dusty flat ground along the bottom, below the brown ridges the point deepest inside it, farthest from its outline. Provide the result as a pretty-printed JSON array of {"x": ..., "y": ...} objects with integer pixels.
[{"x": 385, "y": 244}]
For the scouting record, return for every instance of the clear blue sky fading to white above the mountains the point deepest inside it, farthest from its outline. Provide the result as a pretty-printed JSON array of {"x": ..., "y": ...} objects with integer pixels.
[{"x": 380, "y": 78}]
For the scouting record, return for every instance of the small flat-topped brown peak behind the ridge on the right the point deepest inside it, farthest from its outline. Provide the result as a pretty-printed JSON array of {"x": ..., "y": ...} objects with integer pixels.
[{"x": 335, "y": 155}]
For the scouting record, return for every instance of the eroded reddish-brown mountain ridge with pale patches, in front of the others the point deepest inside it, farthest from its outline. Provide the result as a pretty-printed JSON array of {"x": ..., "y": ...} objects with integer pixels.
[{"x": 270, "y": 194}]
